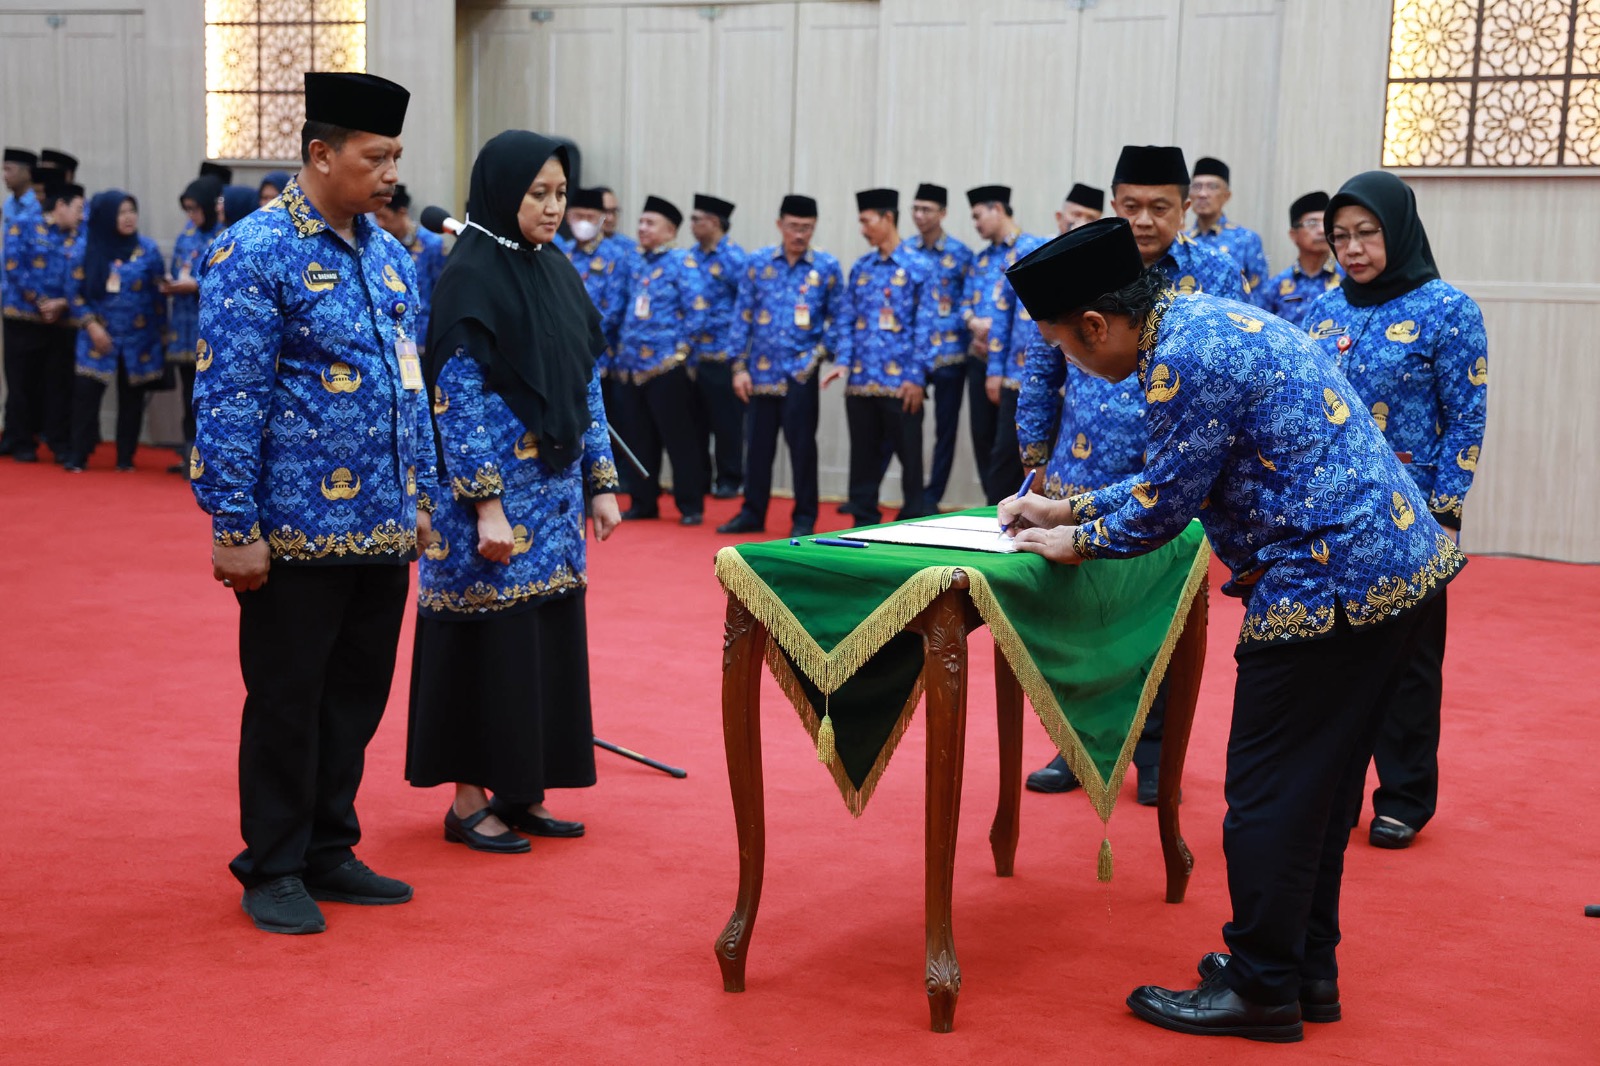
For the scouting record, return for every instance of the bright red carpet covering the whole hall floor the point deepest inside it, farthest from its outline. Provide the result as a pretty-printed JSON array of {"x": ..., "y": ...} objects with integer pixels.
[{"x": 124, "y": 942}]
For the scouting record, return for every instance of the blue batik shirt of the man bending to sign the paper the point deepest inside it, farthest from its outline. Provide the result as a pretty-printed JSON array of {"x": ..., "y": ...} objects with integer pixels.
[{"x": 1258, "y": 435}]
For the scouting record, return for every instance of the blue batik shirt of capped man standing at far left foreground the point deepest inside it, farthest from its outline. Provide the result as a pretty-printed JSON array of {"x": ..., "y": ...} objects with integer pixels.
[{"x": 305, "y": 431}]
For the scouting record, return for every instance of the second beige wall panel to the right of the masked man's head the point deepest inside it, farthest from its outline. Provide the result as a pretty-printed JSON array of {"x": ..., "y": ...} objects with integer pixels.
[{"x": 751, "y": 118}]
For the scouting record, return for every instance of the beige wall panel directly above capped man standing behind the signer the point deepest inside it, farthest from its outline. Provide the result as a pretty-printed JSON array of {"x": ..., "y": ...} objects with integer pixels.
[{"x": 1127, "y": 81}]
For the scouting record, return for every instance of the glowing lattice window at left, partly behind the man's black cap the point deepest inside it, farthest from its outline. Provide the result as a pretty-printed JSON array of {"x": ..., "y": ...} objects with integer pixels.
[{"x": 257, "y": 54}]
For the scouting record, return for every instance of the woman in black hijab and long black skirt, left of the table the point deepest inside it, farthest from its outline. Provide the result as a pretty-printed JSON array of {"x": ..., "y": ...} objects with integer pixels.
[{"x": 500, "y": 676}]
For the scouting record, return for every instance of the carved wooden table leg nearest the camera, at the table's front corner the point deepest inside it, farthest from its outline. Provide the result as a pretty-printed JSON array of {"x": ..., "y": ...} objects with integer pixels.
[{"x": 946, "y": 684}]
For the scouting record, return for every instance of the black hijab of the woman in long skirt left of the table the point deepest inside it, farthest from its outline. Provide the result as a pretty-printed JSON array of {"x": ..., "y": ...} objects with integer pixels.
[{"x": 522, "y": 313}]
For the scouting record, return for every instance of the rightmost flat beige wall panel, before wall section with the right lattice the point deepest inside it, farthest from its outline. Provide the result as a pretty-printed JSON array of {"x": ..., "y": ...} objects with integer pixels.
[{"x": 1228, "y": 100}]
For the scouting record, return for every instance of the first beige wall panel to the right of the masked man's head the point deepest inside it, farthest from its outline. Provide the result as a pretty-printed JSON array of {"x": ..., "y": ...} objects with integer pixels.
[{"x": 668, "y": 108}]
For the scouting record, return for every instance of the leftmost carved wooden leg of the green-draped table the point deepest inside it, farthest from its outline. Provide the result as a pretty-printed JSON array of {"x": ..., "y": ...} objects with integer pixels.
[{"x": 743, "y": 651}]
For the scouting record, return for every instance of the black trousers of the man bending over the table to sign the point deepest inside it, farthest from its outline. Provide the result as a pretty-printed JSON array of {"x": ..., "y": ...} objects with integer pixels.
[{"x": 1306, "y": 718}]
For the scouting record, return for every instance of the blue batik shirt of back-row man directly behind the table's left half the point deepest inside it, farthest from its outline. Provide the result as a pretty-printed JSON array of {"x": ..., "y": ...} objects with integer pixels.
[{"x": 894, "y": 307}]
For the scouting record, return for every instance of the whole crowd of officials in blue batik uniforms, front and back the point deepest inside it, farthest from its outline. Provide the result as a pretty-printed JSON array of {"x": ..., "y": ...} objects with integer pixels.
[{"x": 359, "y": 399}]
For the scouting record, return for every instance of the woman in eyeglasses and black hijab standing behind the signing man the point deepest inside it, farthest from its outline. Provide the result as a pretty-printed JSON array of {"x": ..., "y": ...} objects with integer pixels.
[{"x": 1415, "y": 351}]
